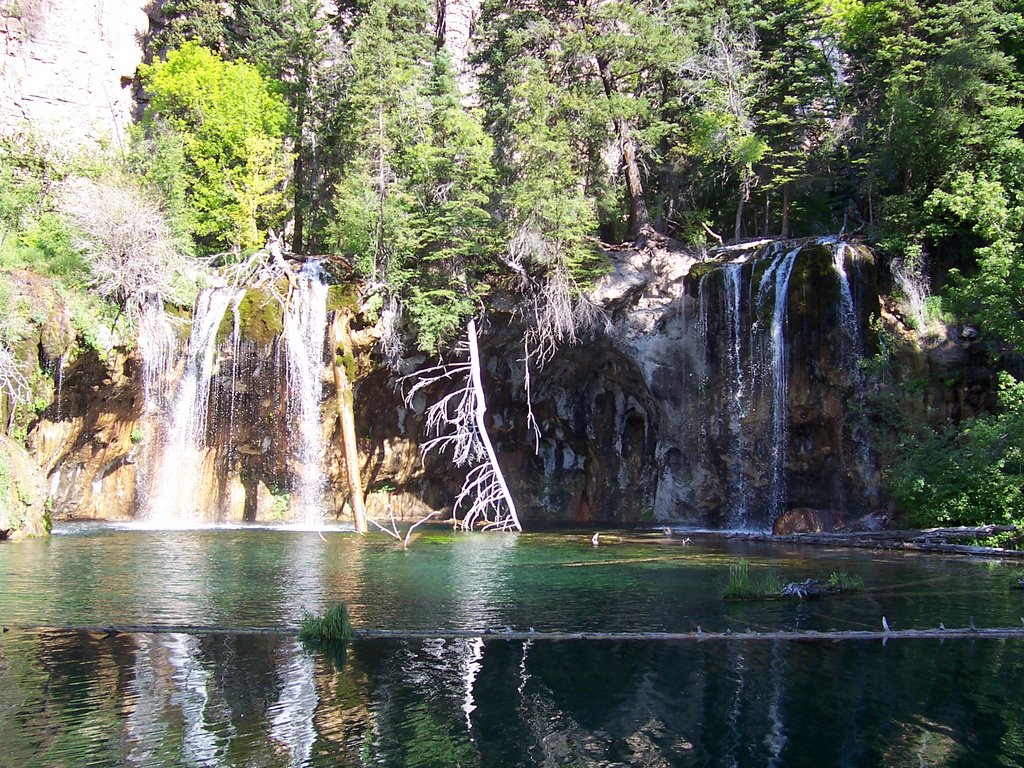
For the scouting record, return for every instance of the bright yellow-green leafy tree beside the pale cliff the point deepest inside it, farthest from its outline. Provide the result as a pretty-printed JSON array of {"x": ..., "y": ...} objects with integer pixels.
[{"x": 232, "y": 126}]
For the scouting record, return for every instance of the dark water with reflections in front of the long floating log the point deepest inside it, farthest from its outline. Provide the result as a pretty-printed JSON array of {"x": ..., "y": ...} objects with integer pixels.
[{"x": 72, "y": 699}]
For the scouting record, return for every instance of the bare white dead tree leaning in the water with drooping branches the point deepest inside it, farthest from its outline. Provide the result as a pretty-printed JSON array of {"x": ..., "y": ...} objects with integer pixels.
[{"x": 458, "y": 422}]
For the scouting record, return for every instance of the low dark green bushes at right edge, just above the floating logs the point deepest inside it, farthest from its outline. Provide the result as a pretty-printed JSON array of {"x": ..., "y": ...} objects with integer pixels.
[{"x": 969, "y": 477}]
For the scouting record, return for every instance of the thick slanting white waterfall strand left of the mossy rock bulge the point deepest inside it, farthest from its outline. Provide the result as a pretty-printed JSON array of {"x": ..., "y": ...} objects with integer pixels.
[{"x": 176, "y": 495}]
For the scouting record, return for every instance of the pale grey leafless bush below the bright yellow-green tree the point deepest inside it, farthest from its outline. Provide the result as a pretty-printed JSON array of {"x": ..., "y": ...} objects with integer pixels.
[{"x": 129, "y": 243}]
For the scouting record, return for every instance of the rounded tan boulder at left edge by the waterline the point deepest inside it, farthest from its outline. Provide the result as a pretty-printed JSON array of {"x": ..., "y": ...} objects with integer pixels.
[{"x": 25, "y": 506}]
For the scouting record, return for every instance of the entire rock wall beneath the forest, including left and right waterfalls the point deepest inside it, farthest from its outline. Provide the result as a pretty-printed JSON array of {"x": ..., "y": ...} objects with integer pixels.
[{"x": 720, "y": 395}]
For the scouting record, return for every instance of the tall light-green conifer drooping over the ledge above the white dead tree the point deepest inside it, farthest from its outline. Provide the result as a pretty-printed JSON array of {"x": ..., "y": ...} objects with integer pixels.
[{"x": 413, "y": 201}]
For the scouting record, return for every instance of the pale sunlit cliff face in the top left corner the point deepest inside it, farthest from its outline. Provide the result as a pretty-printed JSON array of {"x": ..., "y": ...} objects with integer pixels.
[{"x": 66, "y": 67}]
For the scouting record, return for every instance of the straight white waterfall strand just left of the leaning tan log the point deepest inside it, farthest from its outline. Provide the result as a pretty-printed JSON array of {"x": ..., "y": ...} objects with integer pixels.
[{"x": 306, "y": 330}]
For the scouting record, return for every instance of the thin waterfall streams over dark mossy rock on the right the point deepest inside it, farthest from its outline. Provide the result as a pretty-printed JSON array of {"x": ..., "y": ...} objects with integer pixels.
[{"x": 745, "y": 420}]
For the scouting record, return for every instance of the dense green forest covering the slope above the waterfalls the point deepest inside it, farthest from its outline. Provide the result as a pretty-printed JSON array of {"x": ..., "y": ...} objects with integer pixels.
[{"x": 355, "y": 130}]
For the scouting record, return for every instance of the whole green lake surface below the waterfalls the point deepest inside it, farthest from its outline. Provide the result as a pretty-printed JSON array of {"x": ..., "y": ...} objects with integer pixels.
[{"x": 77, "y": 699}]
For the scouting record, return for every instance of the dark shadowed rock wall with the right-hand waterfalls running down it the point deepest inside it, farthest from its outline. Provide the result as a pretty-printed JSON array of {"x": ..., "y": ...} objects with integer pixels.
[{"x": 723, "y": 394}]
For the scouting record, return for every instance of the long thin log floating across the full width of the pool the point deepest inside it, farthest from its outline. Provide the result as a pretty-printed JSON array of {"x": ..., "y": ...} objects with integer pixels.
[{"x": 941, "y": 633}]
